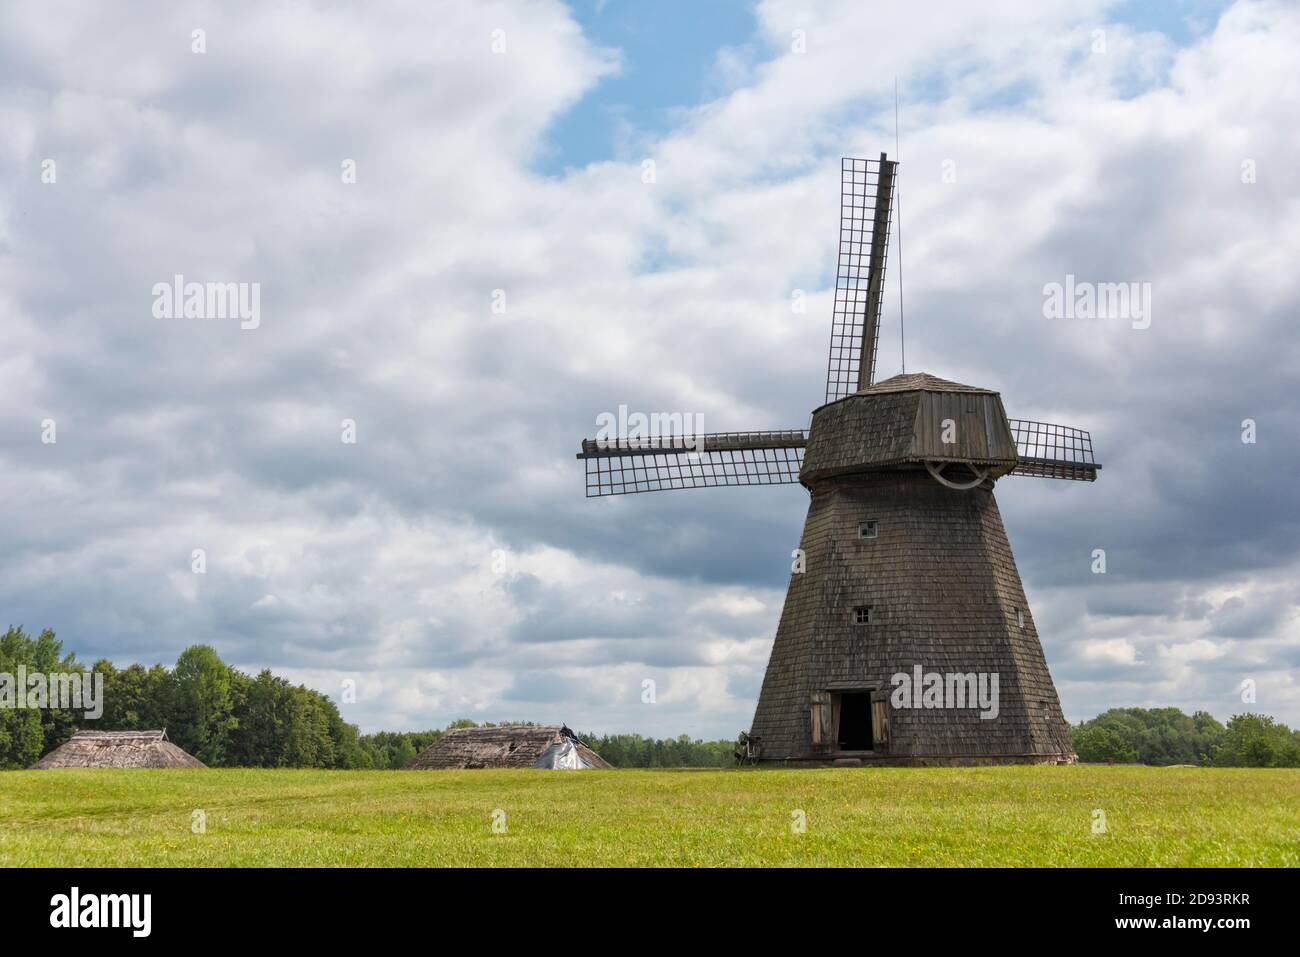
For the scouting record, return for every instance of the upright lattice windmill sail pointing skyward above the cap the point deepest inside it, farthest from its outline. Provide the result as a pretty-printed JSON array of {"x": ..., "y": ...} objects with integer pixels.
[{"x": 866, "y": 202}]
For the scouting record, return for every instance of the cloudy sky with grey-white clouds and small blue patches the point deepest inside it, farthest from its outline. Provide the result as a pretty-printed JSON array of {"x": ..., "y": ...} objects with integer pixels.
[{"x": 501, "y": 272}]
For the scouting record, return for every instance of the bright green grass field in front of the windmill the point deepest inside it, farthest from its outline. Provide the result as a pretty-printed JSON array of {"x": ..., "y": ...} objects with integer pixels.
[{"x": 951, "y": 817}]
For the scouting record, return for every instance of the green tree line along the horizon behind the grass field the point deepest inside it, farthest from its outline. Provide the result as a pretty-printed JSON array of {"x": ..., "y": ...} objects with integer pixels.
[{"x": 228, "y": 718}]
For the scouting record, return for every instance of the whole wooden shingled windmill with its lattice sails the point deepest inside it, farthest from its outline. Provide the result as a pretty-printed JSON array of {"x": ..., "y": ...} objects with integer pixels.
[{"x": 905, "y": 638}]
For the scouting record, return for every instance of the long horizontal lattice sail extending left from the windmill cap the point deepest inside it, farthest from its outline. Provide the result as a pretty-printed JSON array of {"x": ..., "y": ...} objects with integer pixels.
[{"x": 626, "y": 466}]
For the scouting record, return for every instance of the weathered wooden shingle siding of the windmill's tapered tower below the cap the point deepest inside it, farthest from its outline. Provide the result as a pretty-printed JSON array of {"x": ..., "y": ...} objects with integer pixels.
[{"x": 944, "y": 590}]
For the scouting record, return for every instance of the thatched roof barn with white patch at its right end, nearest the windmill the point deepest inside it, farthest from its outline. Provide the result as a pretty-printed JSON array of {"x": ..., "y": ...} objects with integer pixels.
[{"x": 551, "y": 747}]
